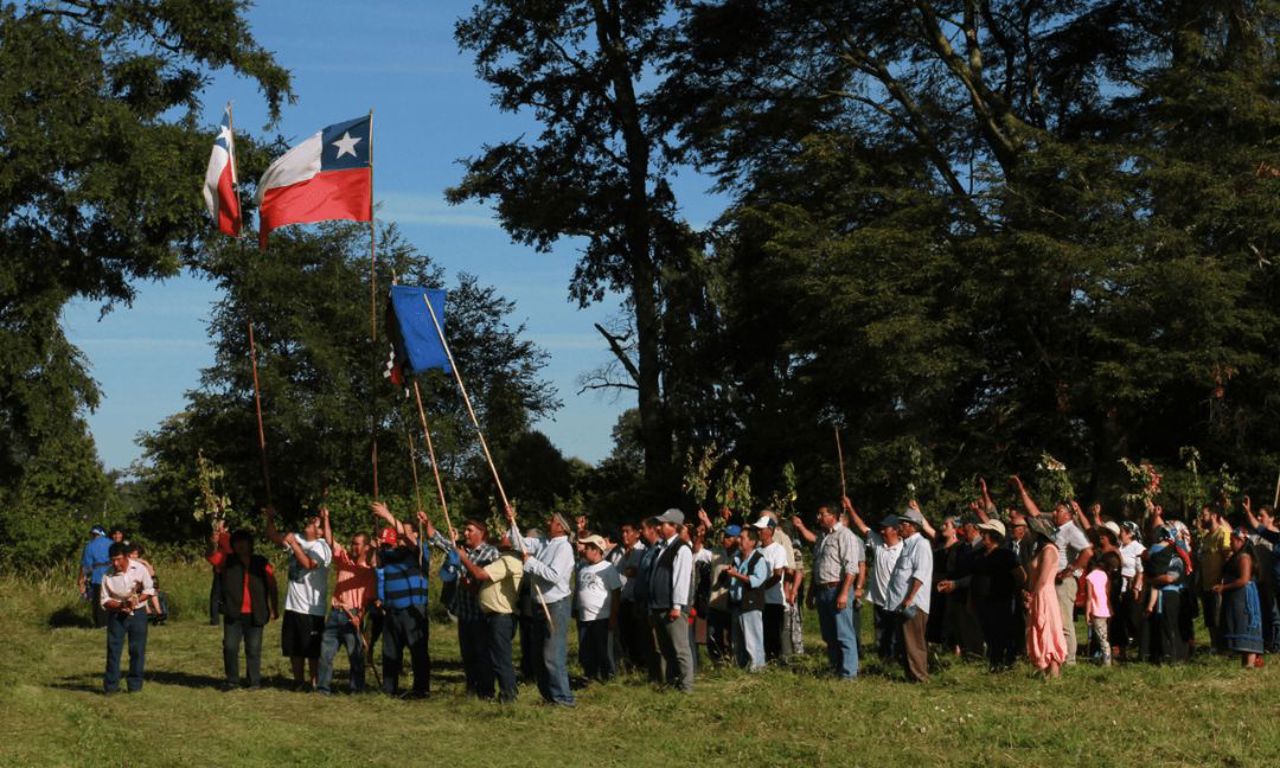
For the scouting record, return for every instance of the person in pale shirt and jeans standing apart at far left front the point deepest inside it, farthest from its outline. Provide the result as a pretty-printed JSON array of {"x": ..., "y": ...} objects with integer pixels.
[{"x": 125, "y": 593}]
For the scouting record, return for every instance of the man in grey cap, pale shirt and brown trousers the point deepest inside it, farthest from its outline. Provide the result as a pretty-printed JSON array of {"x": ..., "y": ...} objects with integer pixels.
[{"x": 909, "y": 593}]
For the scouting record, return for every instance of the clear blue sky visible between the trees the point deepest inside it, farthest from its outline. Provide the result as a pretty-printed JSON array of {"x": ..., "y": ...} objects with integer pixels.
[{"x": 429, "y": 112}]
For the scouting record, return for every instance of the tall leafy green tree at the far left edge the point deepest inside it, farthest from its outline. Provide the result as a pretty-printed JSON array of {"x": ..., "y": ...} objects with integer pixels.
[{"x": 99, "y": 139}]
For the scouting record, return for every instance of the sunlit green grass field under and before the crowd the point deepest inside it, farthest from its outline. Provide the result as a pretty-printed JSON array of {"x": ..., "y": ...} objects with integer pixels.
[{"x": 53, "y": 714}]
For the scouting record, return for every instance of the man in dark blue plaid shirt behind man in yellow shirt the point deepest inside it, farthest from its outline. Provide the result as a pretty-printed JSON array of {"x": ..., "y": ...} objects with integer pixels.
[{"x": 473, "y": 629}]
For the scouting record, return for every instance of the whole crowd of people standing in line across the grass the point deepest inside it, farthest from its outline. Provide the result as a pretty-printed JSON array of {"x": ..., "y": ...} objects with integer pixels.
[{"x": 666, "y": 595}]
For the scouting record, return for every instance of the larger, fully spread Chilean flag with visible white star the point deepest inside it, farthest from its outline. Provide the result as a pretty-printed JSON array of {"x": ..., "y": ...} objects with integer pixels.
[{"x": 330, "y": 176}]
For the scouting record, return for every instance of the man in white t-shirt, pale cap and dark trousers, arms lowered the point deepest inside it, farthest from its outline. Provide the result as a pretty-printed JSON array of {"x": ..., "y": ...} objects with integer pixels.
[{"x": 600, "y": 597}]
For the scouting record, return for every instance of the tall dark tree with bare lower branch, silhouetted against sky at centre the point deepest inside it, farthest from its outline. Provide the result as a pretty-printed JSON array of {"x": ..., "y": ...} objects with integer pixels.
[{"x": 600, "y": 172}]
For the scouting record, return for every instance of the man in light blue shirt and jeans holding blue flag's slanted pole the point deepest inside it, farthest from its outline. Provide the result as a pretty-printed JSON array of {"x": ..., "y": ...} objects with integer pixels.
[{"x": 550, "y": 566}]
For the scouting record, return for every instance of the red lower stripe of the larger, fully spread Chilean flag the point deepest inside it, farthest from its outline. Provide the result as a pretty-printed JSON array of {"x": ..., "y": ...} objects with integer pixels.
[{"x": 326, "y": 196}]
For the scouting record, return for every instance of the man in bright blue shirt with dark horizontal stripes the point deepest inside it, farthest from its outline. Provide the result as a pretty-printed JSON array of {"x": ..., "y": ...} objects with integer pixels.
[{"x": 403, "y": 591}]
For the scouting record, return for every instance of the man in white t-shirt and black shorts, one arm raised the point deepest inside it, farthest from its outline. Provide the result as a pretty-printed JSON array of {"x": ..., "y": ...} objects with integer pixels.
[{"x": 307, "y": 597}]
